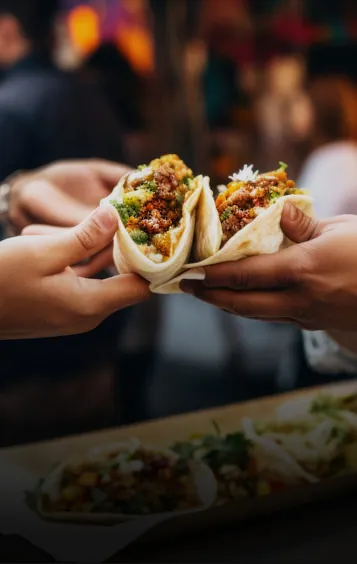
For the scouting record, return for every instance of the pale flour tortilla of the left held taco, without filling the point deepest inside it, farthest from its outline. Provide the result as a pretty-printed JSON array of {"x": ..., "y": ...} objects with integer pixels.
[{"x": 129, "y": 259}]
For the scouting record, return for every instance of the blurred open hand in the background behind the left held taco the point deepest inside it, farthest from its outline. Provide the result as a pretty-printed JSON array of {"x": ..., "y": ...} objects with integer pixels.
[{"x": 62, "y": 194}]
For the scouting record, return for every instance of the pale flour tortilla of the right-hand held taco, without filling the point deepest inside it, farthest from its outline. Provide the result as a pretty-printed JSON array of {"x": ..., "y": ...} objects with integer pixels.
[{"x": 263, "y": 236}]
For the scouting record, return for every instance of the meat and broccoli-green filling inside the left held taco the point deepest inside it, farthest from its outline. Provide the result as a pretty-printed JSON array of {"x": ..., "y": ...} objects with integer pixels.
[{"x": 151, "y": 207}]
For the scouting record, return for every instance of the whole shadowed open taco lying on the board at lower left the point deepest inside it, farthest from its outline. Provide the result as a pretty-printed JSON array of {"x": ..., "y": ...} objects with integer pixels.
[{"x": 124, "y": 481}]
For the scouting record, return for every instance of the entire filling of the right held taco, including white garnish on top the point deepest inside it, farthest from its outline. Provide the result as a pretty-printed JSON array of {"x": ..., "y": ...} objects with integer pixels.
[{"x": 248, "y": 195}]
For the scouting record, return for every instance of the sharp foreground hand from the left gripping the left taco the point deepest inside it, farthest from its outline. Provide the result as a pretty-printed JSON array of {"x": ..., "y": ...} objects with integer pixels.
[{"x": 41, "y": 296}]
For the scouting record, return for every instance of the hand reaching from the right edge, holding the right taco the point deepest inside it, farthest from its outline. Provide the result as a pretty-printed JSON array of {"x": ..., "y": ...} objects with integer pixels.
[{"x": 312, "y": 284}]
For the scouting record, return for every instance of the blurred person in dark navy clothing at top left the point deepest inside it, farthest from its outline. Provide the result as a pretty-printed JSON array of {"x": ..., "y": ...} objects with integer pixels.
[{"x": 46, "y": 114}]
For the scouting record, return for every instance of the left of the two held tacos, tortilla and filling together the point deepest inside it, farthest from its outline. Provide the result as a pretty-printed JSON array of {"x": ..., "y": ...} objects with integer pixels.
[{"x": 157, "y": 209}]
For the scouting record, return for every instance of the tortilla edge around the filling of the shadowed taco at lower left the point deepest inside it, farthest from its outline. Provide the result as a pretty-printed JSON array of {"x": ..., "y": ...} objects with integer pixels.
[{"x": 203, "y": 477}]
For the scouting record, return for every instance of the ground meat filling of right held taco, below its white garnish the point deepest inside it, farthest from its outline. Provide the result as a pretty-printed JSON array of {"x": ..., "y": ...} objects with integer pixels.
[{"x": 242, "y": 207}]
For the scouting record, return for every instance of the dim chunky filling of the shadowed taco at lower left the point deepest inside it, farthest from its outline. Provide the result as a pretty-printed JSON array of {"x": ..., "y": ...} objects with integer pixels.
[{"x": 139, "y": 481}]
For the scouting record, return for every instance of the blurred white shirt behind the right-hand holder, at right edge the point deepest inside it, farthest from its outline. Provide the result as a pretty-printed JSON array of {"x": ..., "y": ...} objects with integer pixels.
[{"x": 330, "y": 175}]
